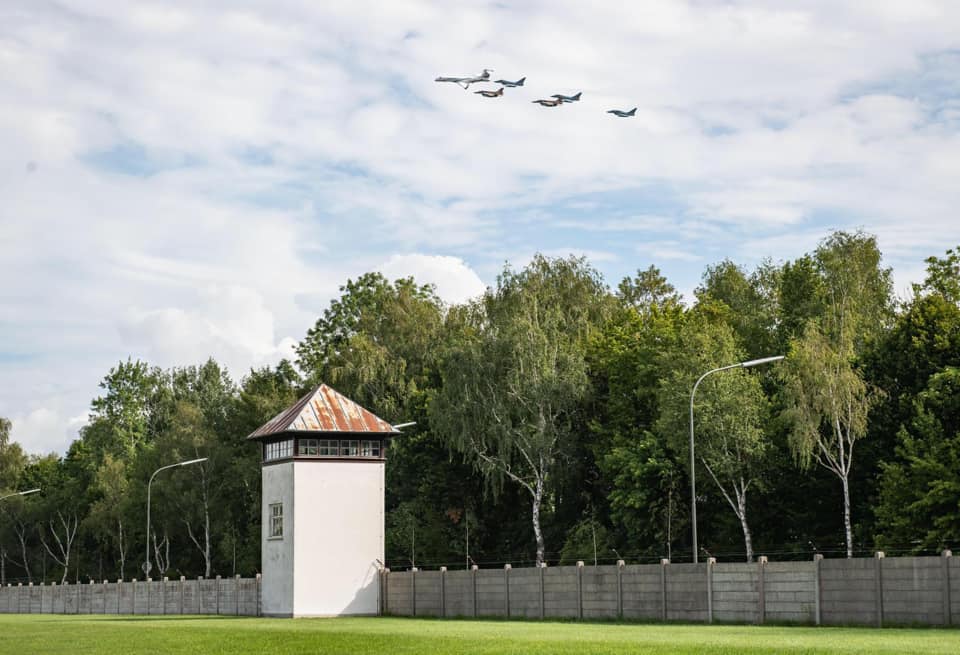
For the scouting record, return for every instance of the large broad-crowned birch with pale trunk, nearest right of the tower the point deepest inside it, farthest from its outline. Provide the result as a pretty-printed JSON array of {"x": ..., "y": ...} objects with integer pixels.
[{"x": 514, "y": 386}]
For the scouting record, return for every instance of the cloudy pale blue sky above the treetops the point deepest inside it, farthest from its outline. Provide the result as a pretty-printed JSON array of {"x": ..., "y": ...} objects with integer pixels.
[{"x": 181, "y": 180}]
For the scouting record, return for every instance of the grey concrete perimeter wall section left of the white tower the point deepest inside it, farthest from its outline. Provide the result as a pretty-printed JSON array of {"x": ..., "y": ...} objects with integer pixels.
[{"x": 228, "y": 596}]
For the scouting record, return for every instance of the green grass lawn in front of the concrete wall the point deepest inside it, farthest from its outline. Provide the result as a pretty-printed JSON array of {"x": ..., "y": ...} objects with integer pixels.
[{"x": 51, "y": 634}]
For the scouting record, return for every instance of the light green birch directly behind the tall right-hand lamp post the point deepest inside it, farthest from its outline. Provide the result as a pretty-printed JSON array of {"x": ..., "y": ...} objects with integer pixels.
[{"x": 730, "y": 412}]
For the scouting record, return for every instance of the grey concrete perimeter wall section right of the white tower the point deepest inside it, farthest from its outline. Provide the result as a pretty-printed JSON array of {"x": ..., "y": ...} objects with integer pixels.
[{"x": 877, "y": 591}]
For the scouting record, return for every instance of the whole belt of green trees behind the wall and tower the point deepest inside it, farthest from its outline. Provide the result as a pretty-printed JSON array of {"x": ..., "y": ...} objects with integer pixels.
[{"x": 552, "y": 423}]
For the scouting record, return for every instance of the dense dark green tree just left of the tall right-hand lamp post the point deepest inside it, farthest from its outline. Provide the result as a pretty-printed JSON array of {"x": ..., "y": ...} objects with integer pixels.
[{"x": 641, "y": 476}]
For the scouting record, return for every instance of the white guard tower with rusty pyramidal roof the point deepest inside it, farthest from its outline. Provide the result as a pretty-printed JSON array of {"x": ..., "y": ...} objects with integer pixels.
[{"x": 322, "y": 507}]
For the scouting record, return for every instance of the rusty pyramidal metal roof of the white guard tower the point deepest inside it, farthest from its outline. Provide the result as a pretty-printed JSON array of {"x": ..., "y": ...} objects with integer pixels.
[{"x": 324, "y": 410}]
